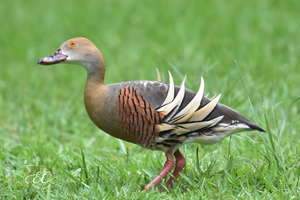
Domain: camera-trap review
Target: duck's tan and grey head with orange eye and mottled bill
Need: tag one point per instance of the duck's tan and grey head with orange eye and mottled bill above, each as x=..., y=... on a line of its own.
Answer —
x=79, y=51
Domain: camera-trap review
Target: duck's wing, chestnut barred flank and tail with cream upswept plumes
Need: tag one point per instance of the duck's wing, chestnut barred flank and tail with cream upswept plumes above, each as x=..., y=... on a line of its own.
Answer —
x=175, y=115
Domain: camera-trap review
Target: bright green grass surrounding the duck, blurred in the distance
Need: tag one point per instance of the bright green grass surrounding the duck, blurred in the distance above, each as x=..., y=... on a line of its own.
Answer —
x=43, y=120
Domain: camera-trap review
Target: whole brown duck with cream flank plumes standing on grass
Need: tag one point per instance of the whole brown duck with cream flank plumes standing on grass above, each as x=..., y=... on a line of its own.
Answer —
x=152, y=114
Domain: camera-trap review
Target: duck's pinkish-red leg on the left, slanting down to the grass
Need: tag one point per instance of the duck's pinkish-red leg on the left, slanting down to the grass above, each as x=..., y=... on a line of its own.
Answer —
x=169, y=165
